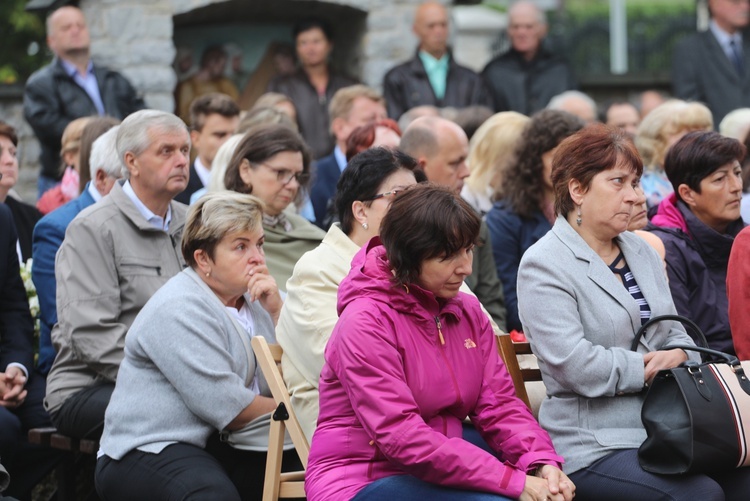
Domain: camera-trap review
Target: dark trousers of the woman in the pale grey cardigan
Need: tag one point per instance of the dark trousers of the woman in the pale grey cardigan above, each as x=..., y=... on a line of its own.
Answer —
x=186, y=472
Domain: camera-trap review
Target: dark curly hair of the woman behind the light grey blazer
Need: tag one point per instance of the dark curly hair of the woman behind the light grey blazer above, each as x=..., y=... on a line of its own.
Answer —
x=522, y=183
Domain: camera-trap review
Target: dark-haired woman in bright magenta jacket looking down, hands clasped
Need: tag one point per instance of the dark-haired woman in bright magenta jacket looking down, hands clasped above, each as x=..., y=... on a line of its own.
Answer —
x=408, y=360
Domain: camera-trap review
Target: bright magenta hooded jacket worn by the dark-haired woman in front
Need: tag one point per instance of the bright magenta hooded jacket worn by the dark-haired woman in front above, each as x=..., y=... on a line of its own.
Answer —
x=402, y=372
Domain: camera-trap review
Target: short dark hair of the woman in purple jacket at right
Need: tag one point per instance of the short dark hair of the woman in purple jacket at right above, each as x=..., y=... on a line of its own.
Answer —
x=698, y=155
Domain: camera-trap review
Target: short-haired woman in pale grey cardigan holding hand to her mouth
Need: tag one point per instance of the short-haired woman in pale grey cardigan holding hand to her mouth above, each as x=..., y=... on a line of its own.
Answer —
x=189, y=372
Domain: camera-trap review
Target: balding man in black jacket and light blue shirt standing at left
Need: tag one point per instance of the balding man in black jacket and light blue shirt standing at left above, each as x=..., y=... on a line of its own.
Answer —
x=70, y=87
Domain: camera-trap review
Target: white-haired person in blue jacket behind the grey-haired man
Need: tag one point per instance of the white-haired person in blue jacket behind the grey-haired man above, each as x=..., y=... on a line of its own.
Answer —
x=49, y=233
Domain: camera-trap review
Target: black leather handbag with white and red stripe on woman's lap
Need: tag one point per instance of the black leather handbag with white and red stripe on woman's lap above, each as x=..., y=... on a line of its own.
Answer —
x=697, y=415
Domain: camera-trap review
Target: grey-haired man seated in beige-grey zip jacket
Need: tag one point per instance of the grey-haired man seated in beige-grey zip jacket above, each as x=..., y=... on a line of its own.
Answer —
x=115, y=256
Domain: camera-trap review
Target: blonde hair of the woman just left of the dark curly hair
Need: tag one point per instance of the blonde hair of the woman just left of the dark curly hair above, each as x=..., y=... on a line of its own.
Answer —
x=491, y=148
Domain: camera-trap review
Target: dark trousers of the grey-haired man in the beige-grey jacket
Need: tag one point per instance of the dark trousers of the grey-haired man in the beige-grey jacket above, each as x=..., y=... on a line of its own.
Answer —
x=82, y=414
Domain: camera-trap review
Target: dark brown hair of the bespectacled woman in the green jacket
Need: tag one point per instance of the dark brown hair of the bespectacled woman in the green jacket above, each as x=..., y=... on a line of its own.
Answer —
x=259, y=145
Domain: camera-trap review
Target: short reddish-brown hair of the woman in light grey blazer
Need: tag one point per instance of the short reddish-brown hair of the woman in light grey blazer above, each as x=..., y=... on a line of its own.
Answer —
x=585, y=154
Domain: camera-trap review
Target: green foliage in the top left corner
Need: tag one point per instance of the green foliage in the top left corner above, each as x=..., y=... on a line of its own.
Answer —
x=23, y=48
